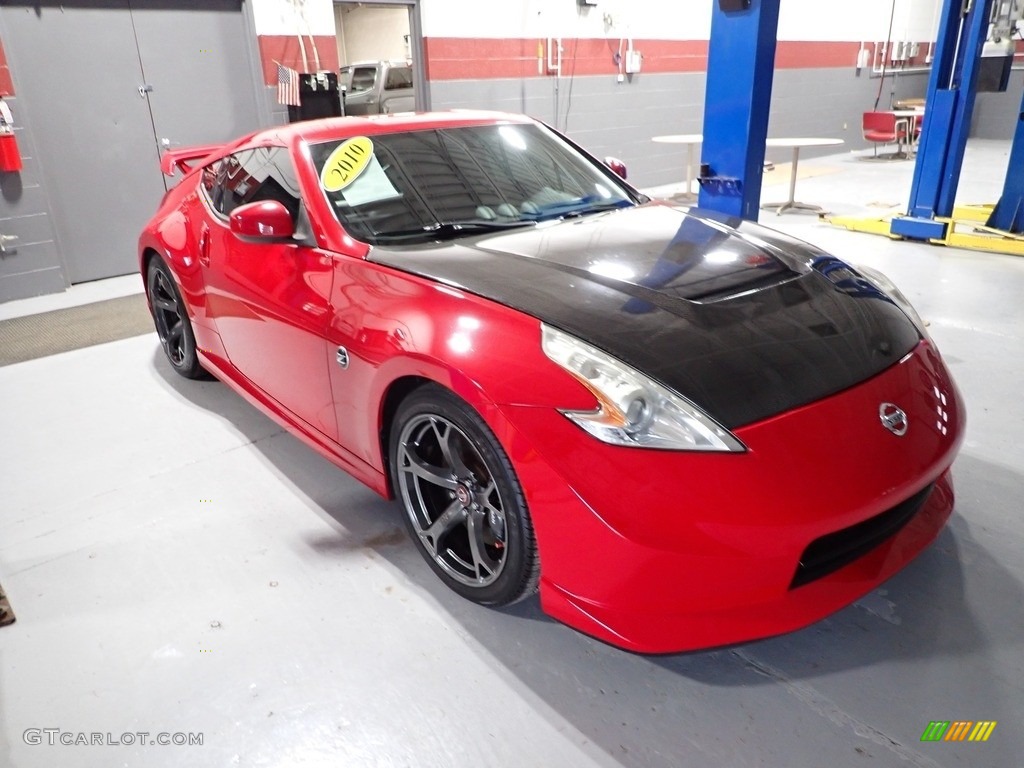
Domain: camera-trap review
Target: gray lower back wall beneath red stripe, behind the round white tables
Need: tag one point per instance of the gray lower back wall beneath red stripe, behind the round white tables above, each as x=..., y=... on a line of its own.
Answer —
x=620, y=119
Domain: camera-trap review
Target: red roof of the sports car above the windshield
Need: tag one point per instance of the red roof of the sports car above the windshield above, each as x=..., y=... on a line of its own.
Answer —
x=328, y=129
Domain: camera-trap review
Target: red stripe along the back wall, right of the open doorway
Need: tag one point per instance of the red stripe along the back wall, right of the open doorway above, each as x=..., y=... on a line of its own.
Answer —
x=482, y=59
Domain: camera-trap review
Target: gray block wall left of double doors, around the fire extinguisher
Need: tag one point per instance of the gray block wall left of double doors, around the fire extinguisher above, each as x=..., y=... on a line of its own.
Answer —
x=33, y=265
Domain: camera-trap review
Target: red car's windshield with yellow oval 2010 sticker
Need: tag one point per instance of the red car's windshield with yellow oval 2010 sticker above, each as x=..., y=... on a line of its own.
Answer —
x=433, y=185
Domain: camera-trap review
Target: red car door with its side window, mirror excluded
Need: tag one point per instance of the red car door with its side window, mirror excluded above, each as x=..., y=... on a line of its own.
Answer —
x=270, y=298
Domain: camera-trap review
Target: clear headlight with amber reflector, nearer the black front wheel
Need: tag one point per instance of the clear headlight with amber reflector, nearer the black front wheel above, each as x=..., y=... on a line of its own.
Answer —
x=632, y=409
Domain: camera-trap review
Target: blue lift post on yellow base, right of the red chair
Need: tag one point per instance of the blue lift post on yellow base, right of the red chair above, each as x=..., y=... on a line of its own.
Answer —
x=952, y=93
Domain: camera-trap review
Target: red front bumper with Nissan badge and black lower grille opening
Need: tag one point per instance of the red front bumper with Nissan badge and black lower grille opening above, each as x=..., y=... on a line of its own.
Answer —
x=668, y=551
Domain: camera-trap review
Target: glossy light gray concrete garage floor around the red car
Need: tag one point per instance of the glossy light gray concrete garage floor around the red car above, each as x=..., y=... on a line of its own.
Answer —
x=179, y=565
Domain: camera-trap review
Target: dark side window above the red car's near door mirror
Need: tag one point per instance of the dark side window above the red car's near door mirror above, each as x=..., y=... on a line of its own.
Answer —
x=265, y=174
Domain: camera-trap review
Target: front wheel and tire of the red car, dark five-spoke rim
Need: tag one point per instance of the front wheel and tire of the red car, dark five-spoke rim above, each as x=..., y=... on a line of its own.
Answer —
x=464, y=506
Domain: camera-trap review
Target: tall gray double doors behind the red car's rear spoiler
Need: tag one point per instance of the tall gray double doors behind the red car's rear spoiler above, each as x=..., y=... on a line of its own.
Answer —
x=107, y=84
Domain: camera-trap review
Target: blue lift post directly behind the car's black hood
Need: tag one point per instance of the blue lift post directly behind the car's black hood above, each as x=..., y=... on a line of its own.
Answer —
x=738, y=98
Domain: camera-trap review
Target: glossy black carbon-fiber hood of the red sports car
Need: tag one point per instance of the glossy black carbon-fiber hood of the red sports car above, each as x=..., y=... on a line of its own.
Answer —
x=744, y=322
